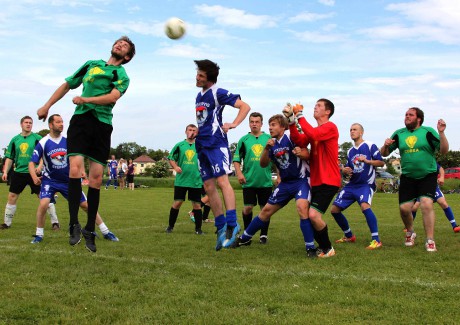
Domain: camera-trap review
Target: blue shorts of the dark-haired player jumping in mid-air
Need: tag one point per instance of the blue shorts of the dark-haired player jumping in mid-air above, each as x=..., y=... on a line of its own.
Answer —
x=214, y=162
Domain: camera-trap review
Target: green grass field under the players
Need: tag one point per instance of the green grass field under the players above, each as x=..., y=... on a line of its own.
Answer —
x=151, y=277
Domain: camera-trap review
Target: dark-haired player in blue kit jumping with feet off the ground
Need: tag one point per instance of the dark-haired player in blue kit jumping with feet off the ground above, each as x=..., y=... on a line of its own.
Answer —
x=212, y=147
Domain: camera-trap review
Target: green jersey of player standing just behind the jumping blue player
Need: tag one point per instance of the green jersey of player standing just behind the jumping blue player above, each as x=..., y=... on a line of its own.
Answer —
x=184, y=154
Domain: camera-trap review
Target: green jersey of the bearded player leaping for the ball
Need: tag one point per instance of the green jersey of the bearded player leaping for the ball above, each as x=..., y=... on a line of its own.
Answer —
x=98, y=79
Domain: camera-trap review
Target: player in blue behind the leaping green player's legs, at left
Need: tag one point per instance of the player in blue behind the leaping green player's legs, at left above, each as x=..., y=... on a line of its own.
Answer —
x=52, y=149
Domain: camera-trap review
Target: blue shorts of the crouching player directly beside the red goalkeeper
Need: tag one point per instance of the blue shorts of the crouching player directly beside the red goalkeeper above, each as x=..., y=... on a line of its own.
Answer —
x=285, y=191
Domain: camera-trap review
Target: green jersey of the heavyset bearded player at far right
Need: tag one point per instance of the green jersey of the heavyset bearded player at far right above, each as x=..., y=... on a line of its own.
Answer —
x=417, y=149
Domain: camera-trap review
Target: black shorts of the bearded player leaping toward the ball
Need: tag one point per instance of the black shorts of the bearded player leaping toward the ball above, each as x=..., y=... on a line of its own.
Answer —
x=89, y=137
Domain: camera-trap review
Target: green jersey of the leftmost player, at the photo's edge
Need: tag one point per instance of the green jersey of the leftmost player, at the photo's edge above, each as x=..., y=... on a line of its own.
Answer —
x=20, y=150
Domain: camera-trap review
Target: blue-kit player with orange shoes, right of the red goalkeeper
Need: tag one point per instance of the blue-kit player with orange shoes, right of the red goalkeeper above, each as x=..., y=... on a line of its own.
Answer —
x=362, y=159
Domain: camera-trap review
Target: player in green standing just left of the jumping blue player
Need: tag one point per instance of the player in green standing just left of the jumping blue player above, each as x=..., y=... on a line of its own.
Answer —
x=183, y=160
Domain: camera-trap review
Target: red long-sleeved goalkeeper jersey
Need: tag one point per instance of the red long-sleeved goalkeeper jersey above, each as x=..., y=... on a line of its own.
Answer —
x=324, y=151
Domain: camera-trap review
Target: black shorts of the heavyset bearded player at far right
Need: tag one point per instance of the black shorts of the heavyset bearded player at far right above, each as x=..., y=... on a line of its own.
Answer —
x=411, y=189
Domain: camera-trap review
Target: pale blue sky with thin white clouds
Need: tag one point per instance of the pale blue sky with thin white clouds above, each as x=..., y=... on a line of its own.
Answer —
x=373, y=59
